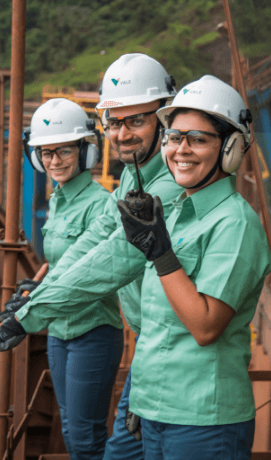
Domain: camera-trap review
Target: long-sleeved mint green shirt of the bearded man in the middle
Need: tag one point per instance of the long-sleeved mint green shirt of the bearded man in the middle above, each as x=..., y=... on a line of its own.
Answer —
x=102, y=261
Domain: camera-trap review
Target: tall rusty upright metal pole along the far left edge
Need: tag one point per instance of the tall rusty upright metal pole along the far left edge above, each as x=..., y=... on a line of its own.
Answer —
x=13, y=188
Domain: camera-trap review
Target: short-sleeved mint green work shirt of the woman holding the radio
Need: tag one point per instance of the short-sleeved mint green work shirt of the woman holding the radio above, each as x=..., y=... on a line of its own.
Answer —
x=222, y=247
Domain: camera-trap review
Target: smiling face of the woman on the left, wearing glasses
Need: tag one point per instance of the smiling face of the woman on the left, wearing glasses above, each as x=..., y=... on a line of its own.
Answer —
x=61, y=170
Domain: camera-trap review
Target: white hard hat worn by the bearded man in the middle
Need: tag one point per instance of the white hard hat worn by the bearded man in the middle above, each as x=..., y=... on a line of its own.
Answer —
x=135, y=79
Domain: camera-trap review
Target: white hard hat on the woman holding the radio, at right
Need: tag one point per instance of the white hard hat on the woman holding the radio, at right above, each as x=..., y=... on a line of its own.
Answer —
x=212, y=96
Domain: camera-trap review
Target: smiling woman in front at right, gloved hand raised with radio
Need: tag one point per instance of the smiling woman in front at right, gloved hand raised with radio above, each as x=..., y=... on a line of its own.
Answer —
x=190, y=382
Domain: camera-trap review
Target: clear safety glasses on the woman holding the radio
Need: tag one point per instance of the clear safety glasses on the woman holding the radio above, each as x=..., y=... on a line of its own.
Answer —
x=198, y=140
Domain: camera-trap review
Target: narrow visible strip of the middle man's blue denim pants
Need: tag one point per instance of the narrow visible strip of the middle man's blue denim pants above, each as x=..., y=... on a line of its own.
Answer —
x=122, y=445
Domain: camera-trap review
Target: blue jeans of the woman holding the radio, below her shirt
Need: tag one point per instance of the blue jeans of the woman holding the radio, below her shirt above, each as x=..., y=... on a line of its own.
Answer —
x=164, y=441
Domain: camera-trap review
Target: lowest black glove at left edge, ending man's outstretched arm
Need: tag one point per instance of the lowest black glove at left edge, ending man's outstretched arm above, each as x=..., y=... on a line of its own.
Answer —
x=11, y=333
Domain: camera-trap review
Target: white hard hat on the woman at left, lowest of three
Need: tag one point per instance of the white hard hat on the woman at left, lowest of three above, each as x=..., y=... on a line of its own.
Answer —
x=58, y=120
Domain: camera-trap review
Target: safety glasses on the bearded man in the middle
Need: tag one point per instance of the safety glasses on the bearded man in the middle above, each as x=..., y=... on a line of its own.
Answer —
x=132, y=122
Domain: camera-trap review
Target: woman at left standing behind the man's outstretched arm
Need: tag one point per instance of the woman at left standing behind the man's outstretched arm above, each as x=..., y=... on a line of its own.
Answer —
x=85, y=347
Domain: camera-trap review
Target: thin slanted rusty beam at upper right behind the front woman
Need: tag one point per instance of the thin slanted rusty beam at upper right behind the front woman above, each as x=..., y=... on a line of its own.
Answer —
x=253, y=151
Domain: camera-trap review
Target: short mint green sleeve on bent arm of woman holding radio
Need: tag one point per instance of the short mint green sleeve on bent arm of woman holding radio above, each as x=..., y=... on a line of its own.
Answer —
x=235, y=262
